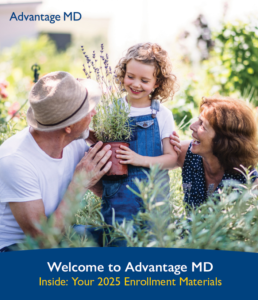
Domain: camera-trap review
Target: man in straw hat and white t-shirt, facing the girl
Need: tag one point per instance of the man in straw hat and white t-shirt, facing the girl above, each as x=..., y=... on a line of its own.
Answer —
x=38, y=163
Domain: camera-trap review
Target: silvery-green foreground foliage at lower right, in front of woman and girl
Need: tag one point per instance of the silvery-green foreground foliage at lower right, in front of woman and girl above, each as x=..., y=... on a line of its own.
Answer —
x=230, y=224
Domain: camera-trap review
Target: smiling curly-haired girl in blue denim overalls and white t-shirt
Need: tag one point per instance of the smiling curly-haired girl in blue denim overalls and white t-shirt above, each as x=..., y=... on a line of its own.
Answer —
x=146, y=74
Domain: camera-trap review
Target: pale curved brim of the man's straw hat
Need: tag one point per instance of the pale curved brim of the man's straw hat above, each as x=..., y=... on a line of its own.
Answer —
x=92, y=100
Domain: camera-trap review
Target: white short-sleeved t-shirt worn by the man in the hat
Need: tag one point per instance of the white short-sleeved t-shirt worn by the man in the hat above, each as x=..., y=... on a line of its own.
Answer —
x=27, y=173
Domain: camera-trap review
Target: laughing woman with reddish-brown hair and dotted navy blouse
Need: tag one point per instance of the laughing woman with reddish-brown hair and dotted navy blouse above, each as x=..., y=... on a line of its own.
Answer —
x=224, y=138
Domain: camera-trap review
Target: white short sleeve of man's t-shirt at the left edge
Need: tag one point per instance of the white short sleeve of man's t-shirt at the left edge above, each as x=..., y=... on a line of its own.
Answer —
x=18, y=180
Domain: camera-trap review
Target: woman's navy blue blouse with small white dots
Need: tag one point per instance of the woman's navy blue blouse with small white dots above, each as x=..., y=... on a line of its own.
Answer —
x=194, y=184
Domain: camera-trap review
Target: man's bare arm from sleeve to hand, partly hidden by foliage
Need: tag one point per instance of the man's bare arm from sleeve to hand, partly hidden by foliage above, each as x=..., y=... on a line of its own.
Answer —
x=91, y=168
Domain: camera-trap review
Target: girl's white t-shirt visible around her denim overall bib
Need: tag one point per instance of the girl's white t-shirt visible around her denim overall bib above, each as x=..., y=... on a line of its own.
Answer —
x=164, y=117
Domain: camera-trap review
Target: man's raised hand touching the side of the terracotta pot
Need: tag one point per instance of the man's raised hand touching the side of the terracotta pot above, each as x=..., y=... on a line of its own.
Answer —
x=94, y=165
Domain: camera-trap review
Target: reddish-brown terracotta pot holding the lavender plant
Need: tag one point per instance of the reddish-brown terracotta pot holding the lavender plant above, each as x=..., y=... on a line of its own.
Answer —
x=117, y=170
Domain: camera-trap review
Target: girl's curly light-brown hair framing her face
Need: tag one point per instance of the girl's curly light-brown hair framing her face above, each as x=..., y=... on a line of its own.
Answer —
x=151, y=54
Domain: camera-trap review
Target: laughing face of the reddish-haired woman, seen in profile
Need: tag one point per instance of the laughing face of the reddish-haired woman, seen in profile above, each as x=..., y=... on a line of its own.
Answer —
x=202, y=135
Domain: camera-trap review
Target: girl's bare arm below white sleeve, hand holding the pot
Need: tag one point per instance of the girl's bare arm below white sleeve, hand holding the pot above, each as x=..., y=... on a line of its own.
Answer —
x=166, y=161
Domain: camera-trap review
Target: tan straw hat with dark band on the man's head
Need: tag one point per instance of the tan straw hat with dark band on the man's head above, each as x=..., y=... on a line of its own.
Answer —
x=58, y=100
